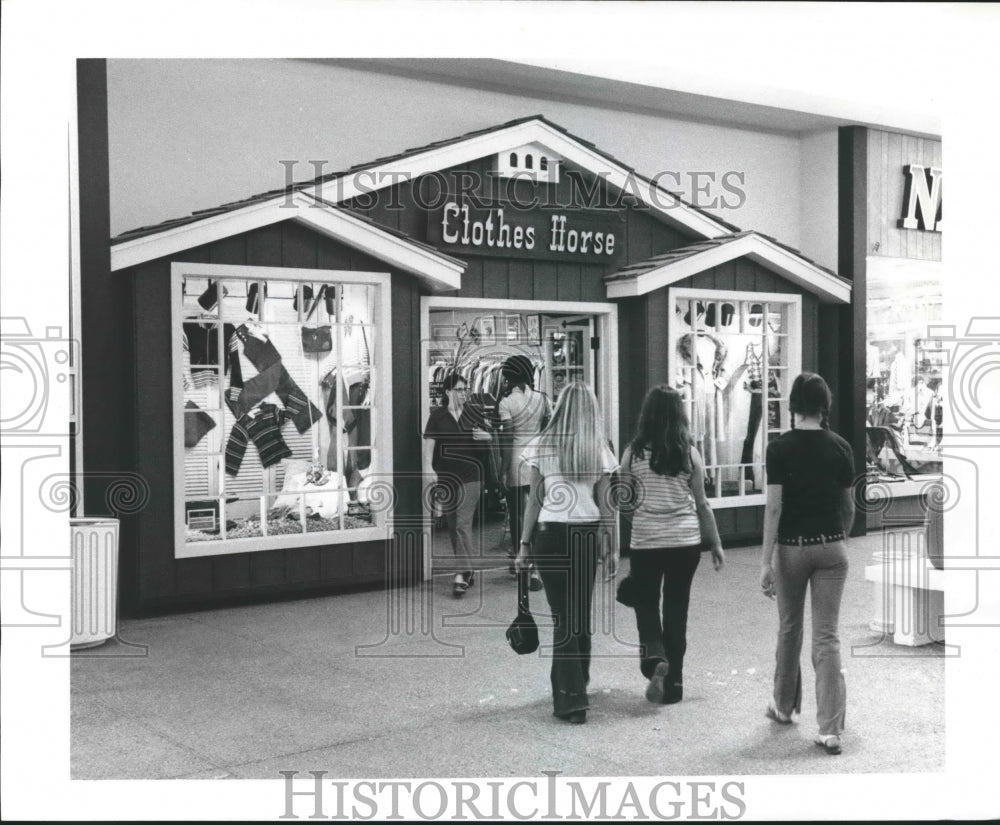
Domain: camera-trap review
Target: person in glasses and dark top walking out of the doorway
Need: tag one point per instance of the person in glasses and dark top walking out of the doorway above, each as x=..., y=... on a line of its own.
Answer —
x=458, y=461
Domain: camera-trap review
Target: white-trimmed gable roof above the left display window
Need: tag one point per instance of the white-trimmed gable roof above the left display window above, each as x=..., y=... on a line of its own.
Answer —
x=441, y=272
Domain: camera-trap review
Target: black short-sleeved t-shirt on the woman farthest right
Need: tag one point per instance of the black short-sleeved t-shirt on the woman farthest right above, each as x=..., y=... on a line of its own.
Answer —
x=813, y=467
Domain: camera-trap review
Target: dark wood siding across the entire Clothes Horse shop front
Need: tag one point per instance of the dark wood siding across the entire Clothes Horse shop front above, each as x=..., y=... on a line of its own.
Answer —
x=159, y=581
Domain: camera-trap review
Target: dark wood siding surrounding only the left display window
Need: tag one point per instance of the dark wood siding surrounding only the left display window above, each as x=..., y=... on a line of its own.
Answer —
x=159, y=580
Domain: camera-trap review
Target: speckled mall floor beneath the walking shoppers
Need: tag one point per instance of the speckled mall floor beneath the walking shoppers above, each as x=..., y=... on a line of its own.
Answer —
x=415, y=682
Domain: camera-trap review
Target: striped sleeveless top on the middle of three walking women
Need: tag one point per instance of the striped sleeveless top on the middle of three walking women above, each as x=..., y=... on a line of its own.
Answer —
x=665, y=514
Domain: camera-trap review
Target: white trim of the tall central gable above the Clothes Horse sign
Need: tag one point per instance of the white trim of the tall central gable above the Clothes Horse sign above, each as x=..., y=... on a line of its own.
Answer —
x=438, y=157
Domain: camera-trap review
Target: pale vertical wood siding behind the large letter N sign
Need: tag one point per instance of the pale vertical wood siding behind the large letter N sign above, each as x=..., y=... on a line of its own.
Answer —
x=888, y=153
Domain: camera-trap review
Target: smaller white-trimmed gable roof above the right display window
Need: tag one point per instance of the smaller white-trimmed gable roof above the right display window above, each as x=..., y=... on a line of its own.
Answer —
x=678, y=264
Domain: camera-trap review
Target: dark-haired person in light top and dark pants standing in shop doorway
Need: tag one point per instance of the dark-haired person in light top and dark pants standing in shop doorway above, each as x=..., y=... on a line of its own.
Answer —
x=523, y=412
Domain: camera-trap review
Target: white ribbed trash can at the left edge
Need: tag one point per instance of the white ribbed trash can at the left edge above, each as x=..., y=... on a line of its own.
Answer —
x=94, y=599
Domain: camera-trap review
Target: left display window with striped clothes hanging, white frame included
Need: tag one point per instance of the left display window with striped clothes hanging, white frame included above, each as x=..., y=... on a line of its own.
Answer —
x=280, y=421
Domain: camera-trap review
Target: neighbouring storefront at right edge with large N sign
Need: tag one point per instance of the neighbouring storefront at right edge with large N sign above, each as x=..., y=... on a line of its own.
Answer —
x=904, y=363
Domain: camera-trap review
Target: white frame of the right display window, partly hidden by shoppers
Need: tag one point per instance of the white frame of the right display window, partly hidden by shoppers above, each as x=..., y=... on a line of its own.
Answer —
x=794, y=303
